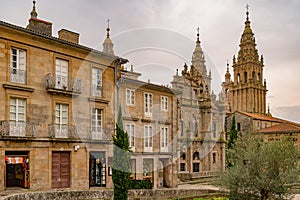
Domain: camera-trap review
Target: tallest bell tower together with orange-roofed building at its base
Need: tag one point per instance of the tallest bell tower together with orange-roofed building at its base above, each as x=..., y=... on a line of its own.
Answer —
x=246, y=95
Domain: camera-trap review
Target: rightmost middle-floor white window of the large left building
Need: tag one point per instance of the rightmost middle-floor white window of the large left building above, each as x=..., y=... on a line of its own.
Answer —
x=97, y=123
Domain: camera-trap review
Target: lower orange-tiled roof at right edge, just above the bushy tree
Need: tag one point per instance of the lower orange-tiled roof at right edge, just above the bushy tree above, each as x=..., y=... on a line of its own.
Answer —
x=281, y=128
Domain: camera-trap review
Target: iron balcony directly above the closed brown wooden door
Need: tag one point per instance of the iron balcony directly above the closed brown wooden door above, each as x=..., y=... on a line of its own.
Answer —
x=62, y=131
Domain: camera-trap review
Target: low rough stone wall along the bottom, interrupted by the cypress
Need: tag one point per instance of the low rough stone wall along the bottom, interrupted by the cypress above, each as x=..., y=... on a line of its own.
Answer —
x=161, y=194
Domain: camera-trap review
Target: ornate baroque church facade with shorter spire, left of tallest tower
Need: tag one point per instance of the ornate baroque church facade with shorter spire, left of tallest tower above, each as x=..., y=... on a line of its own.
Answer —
x=200, y=140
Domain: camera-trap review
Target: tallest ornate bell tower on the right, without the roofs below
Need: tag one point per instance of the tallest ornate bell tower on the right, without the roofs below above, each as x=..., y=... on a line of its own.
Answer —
x=247, y=91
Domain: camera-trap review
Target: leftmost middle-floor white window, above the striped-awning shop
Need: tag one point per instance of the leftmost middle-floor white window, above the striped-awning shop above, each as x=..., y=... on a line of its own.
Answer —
x=17, y=113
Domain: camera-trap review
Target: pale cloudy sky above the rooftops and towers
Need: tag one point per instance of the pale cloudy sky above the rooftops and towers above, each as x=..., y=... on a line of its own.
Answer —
x=158, y=36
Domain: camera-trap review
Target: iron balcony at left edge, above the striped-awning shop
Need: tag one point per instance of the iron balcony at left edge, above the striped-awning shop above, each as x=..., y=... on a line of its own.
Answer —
x=17, y=129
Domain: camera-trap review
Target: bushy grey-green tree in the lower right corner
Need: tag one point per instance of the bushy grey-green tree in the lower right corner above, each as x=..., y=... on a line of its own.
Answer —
x=260, y=170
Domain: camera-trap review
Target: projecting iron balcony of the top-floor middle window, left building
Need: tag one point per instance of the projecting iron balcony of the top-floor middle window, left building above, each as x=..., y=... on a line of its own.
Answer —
x=62, y=85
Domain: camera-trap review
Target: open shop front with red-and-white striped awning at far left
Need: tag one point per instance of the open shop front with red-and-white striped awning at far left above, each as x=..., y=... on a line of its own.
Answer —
x=17, y=169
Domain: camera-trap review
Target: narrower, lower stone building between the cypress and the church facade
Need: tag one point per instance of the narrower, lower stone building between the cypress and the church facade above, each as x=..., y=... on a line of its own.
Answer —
x=150, y=118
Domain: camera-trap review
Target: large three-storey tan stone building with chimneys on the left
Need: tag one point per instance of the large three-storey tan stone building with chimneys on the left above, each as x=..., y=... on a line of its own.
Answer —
x=57, y=109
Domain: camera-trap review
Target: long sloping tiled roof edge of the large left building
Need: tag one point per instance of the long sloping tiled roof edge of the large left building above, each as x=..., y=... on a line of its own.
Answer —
x=25, y=30
